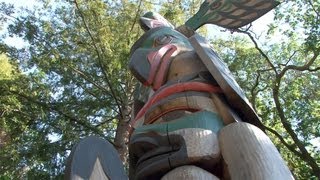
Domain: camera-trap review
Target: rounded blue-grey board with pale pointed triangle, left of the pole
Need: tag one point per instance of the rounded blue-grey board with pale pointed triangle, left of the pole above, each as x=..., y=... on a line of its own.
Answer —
x=94, y=158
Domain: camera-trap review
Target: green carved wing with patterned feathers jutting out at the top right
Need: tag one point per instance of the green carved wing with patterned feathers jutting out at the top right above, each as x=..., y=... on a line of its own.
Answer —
x=230, y=14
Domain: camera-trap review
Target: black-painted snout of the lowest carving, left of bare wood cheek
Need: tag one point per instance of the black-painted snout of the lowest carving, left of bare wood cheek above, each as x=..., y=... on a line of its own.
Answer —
x=152, y=155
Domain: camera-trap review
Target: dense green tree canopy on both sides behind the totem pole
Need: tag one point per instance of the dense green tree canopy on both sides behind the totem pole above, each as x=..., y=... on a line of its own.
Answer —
x=71, y=80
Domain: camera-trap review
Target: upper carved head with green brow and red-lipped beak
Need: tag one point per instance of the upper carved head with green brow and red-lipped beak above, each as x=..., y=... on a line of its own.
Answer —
x=152, y=54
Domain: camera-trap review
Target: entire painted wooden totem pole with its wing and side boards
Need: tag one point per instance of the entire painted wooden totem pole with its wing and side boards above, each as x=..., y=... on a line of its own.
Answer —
x=192, y=120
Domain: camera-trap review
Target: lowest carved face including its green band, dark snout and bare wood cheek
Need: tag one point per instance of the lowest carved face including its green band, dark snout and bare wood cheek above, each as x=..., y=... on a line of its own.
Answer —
x=158, y=148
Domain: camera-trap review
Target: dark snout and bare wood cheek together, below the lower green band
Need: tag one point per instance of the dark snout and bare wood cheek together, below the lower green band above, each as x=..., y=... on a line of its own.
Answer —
x=181, y=147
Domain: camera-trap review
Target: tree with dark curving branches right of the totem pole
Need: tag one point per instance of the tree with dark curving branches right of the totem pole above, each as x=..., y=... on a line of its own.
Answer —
x=281, y=80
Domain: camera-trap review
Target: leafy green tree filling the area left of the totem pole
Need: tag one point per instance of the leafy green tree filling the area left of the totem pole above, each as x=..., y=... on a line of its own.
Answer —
x=75, y=81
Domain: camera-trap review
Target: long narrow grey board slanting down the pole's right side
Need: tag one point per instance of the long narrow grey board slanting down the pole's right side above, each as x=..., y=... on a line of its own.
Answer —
x=219, y=70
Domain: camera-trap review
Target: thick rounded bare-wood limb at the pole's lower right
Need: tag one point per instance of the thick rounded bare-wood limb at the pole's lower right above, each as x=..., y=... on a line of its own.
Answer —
x=249, y=154
